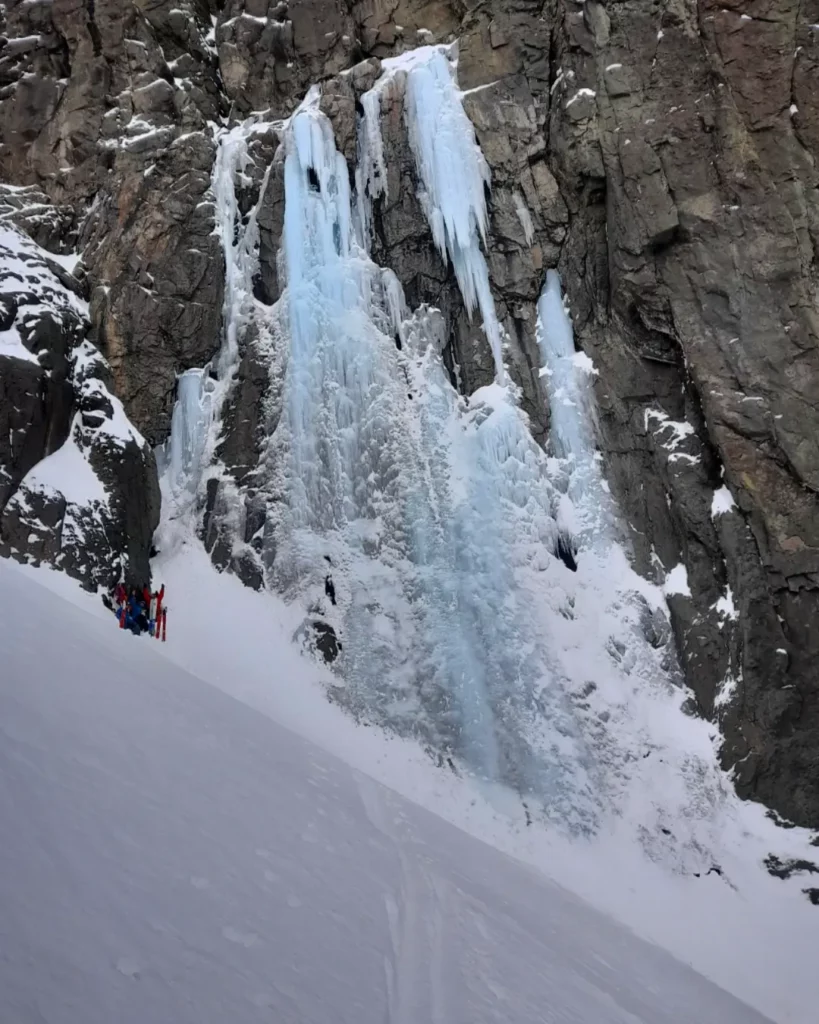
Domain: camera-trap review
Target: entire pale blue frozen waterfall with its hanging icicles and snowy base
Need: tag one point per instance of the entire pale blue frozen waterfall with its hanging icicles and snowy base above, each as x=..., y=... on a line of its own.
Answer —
x=439, y=518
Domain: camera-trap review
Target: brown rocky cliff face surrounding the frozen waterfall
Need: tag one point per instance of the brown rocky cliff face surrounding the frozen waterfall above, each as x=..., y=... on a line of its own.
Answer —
x=662, y=156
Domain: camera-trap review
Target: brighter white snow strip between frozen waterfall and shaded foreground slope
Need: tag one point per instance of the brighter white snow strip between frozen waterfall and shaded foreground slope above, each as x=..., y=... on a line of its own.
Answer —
x=752, y=934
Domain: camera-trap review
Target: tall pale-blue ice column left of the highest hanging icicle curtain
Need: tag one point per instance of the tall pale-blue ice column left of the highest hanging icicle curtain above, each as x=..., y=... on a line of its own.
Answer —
x=333, y=296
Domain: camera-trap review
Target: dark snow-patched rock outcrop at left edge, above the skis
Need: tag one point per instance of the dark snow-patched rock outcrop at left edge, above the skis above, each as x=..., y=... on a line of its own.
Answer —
x=78, y=486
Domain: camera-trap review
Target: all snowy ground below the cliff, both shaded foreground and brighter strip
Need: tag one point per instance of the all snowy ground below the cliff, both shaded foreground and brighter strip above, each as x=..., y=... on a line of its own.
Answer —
x=141, y=797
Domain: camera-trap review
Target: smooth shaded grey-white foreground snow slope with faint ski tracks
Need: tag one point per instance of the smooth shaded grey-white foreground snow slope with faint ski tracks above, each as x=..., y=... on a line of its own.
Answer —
x=170, y=855
